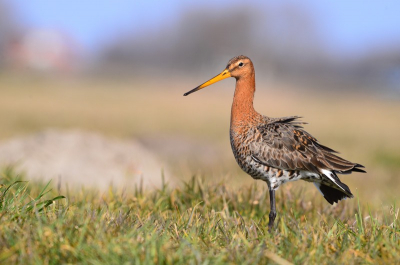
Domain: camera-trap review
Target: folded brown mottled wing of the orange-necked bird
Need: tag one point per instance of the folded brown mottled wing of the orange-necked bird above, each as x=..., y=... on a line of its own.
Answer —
x=282, y=143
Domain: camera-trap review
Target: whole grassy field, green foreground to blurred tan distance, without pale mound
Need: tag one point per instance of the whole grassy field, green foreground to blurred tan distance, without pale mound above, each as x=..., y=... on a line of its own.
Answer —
x=218, y=216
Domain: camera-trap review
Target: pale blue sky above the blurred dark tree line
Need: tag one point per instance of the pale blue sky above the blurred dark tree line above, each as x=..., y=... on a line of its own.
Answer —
x=348, y=26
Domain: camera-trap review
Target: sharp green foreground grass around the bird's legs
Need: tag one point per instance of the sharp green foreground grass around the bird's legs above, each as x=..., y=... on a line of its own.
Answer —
x=198, y=223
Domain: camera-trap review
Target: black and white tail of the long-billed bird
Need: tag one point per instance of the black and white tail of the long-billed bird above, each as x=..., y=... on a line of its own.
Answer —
x=337, y=191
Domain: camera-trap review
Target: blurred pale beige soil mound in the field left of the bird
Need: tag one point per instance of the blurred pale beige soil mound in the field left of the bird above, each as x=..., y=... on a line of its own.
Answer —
x=83, y=158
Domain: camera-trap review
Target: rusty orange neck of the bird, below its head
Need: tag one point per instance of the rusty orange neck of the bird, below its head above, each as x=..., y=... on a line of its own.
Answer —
x=242, y=107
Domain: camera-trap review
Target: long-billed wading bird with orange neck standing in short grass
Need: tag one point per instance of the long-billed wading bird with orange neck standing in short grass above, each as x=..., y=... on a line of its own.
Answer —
x=278, y=150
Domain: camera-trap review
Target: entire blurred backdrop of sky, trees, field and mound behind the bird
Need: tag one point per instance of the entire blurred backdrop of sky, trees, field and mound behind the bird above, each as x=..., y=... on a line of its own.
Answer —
x=91, y=91
